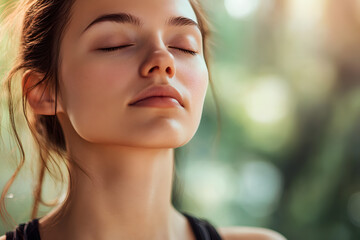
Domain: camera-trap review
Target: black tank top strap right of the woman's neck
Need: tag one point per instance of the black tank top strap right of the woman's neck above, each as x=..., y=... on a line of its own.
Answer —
x=203, y=229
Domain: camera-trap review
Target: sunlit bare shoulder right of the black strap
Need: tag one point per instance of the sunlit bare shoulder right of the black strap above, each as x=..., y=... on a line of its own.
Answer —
x=249, y=233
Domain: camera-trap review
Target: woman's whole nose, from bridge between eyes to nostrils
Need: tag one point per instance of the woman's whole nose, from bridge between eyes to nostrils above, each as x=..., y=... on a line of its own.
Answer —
x=158, y=60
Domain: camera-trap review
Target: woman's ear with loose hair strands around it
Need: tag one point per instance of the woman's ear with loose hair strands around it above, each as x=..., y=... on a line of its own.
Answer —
x=40, y=97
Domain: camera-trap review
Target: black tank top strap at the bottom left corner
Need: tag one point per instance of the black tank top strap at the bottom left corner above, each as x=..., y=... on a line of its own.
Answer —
x=25, y=231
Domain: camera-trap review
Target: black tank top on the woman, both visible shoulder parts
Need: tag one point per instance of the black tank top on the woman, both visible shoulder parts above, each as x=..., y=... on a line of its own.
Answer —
x=202, y=230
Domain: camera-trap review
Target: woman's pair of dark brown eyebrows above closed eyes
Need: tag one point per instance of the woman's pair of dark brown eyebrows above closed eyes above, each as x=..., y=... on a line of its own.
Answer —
x=128, y=18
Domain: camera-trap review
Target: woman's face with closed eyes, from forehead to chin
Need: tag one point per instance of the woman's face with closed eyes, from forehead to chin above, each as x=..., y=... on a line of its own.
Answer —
x=106, y=64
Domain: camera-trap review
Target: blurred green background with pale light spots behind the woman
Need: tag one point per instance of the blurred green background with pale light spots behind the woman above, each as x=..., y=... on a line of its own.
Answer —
x=287, y=76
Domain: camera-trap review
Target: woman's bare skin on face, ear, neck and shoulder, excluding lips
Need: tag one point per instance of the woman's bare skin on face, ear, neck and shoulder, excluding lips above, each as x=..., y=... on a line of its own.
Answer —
x=127, y=151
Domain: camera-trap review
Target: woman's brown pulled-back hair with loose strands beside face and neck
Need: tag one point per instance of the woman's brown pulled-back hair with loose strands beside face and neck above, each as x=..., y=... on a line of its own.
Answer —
x=42, y=28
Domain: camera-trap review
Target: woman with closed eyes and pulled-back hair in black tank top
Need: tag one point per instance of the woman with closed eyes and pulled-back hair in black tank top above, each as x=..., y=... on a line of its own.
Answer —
x=113, y=87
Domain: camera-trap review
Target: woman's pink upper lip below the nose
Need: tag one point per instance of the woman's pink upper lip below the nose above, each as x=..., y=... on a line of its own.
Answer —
x=158, y=91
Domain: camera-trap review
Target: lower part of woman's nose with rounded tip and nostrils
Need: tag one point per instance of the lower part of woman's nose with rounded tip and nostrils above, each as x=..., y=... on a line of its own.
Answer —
x=158, y=62
